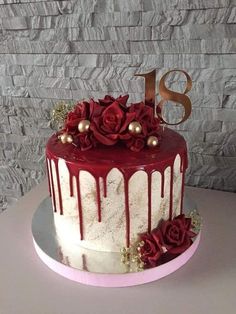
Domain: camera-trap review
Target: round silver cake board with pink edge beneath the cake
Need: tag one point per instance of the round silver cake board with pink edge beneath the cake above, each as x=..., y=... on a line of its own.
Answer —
x=90, y=267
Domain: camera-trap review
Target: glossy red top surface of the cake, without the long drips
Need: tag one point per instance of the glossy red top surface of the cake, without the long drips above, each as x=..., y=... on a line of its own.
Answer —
x=119, y=156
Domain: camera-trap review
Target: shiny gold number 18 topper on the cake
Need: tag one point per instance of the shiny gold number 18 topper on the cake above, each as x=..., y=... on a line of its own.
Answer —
x=167, y=94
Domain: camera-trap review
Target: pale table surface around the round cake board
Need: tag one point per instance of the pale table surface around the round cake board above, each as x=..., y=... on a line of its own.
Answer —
x=206, y=284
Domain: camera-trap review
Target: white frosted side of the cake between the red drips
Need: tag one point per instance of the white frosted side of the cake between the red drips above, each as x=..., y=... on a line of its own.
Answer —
x=110, y=233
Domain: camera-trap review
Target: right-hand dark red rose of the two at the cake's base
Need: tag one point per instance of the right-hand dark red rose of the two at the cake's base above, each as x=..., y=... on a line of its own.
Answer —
x=175, y=235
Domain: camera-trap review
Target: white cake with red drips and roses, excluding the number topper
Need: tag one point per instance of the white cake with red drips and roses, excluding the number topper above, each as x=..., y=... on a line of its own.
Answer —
x=116, y=179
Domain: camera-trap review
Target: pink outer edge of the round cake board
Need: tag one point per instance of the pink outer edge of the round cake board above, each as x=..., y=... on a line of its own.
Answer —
x=118, y=280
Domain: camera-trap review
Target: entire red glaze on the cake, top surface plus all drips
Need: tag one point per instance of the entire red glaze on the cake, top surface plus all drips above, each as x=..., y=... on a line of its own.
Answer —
x=101, y=160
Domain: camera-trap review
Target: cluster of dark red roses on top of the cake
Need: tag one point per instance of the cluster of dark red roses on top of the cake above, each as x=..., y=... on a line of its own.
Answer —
x=109, y=123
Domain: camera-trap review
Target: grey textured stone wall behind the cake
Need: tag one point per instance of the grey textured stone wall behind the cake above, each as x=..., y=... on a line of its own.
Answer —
x=53, y=50
